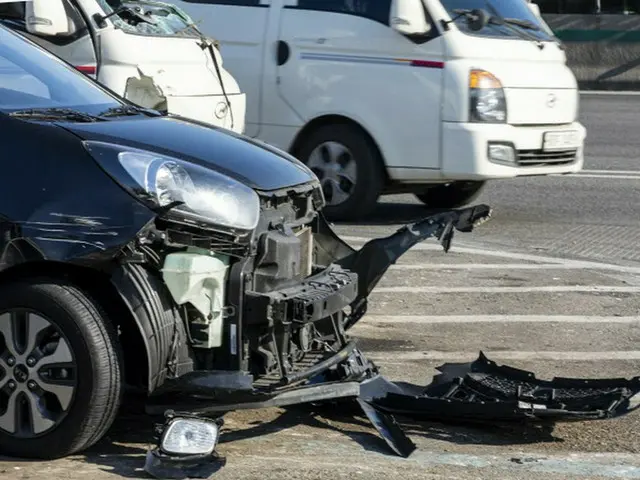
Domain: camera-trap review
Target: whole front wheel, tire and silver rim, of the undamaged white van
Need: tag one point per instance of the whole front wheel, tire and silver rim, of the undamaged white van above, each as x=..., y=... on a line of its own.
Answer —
x=349, y=168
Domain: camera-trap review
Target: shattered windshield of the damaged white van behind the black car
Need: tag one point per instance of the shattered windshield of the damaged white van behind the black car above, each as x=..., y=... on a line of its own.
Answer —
x=165, y=19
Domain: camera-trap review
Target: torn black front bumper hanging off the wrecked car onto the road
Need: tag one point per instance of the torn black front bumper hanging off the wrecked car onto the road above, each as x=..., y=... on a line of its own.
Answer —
x=480, y=391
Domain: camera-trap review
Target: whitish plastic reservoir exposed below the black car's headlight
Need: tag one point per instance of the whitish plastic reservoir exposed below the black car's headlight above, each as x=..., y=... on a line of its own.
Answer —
x=200, y=280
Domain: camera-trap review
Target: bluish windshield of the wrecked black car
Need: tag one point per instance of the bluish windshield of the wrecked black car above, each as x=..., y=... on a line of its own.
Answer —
x=32, y=78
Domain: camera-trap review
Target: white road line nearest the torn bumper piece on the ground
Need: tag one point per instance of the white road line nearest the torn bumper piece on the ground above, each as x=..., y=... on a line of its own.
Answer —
x=397, y=357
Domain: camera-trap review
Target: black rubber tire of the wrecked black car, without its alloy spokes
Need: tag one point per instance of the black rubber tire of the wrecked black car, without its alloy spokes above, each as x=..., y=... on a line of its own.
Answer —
x=96, y=367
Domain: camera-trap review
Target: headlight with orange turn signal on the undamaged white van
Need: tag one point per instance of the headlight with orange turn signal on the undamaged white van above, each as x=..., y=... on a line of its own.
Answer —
x=487, y=103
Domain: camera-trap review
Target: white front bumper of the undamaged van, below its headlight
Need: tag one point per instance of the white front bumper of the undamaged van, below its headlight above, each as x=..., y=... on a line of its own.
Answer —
x=465, y=151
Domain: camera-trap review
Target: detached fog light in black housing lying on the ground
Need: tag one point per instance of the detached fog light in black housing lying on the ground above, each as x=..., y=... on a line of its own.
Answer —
x=186, y=448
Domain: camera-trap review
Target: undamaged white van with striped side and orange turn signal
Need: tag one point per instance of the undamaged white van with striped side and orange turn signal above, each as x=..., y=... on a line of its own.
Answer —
x=385, y=96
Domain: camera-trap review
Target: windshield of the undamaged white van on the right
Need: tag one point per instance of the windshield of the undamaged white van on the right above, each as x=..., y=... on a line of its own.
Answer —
x=517, y=10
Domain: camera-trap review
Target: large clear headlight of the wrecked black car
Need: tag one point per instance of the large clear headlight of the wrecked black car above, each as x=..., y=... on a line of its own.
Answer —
x=188, y=192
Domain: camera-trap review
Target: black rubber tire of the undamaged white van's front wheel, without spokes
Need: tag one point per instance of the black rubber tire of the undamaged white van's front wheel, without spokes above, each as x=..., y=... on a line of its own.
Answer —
x=369, y=178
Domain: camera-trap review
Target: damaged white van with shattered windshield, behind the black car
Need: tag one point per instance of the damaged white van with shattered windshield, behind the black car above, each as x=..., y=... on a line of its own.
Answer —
x=146, y=51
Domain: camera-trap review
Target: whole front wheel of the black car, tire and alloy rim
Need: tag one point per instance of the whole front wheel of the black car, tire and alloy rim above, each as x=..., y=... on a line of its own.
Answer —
x=60, y=384
